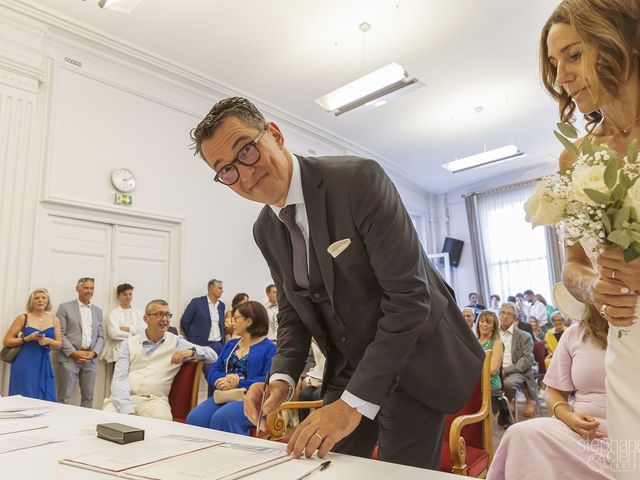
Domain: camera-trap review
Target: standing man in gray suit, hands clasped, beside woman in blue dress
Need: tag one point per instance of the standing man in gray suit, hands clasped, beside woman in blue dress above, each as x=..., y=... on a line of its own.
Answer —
x=82, y=341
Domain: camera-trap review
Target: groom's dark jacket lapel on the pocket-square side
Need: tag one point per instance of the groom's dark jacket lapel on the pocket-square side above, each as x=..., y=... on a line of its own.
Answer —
x=315, y=199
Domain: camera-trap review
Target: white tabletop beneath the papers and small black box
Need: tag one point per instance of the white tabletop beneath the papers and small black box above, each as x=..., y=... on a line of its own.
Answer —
x=79, y=426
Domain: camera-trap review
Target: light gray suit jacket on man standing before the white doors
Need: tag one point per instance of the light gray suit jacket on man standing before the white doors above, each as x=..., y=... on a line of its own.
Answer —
x=71, y=329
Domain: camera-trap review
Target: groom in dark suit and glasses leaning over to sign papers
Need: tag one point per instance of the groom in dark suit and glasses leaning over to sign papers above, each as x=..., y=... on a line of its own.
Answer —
x=351, y=273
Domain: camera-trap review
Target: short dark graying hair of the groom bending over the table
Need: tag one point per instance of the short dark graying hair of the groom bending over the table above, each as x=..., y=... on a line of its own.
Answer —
x=238, y=107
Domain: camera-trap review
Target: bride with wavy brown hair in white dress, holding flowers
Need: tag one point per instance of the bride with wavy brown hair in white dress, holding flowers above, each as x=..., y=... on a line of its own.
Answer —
x=589, y=59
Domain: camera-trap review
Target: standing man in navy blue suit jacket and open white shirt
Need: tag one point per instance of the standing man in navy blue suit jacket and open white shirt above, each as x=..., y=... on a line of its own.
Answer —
x=203, y=321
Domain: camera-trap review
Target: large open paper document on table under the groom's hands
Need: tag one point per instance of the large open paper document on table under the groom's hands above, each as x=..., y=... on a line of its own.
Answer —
x=181, y=458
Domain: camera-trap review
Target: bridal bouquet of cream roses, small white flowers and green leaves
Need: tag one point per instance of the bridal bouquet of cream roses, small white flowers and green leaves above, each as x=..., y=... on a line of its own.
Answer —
x=597, y=199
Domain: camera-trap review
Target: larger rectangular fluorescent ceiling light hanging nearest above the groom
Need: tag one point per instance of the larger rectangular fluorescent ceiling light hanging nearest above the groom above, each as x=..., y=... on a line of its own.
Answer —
x=369, y=90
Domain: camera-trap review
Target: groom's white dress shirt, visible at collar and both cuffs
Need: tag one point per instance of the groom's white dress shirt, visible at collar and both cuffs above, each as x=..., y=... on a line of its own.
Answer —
x=295, y=196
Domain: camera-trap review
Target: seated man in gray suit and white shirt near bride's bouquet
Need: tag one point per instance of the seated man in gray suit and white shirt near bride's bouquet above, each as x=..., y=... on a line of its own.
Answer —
x=517, y=361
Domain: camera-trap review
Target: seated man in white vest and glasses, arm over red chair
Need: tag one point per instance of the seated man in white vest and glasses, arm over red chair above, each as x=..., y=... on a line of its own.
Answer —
x=148, y=363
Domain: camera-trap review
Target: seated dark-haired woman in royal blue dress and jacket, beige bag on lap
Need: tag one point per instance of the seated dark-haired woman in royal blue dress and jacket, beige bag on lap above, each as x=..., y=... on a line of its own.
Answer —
x=242, y=362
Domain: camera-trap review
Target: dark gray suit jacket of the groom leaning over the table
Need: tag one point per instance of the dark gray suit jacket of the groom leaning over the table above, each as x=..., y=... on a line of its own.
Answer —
x=398, y=321
